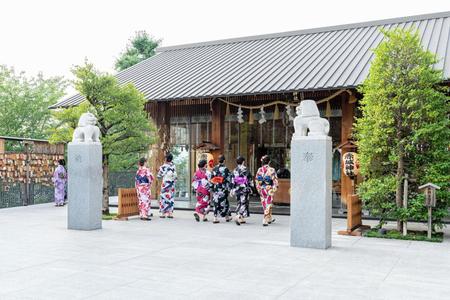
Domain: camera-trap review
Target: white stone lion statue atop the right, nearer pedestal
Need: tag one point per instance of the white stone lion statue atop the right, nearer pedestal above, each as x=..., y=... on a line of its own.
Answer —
x=308, y=117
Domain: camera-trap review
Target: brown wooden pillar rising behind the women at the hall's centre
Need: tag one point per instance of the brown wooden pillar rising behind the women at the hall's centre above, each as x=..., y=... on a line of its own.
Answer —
x=218, y=127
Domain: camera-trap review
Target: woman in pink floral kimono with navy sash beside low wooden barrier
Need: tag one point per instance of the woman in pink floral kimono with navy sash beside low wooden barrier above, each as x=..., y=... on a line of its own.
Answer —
x=143, y=182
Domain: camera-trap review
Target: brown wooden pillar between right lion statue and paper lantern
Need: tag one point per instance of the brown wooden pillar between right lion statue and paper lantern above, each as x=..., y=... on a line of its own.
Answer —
x=348, y=113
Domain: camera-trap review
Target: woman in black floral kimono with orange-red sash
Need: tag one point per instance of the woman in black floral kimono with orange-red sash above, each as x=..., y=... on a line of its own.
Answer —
x=221, y=182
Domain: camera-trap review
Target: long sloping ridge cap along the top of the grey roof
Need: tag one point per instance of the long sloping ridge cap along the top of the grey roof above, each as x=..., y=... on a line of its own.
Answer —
x=308, y=31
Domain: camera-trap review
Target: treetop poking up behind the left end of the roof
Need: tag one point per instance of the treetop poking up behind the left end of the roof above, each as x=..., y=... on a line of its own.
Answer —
x=141, y=46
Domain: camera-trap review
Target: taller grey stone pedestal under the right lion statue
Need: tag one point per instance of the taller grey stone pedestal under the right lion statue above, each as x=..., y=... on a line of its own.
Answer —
x=311, y=192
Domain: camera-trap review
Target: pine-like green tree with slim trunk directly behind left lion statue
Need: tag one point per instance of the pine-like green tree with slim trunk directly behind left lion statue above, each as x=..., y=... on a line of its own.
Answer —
x=122, y=120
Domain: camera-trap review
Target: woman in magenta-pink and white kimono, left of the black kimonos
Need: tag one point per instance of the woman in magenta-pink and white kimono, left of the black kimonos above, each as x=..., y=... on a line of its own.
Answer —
x=202, y=188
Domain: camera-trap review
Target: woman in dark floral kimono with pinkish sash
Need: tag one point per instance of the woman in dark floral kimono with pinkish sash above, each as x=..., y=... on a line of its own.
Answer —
x=242, y=184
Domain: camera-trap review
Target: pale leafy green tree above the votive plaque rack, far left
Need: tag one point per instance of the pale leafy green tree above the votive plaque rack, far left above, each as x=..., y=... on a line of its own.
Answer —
x=24, y=103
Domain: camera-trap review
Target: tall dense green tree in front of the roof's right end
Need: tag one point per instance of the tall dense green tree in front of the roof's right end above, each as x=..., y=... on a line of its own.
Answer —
x=404, y=128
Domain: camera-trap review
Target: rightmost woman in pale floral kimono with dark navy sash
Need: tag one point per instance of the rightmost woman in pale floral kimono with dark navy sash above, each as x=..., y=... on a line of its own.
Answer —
x=266, y=185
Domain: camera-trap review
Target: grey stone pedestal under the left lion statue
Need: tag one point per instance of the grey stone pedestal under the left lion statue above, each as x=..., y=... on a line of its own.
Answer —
x=85, y=186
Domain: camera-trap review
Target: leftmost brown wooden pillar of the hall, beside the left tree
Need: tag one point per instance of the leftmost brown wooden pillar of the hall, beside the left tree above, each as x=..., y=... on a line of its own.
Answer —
x=159, y=150
